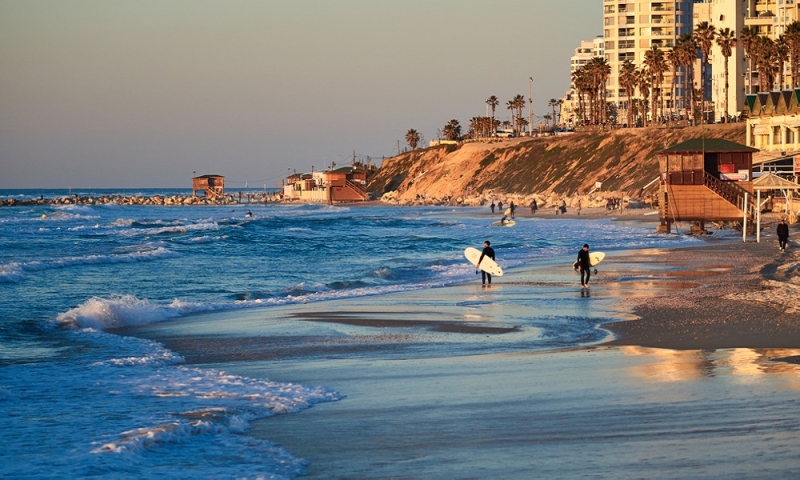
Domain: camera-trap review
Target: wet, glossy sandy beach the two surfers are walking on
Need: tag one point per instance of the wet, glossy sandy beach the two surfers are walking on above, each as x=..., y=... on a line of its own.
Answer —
x=693, y=375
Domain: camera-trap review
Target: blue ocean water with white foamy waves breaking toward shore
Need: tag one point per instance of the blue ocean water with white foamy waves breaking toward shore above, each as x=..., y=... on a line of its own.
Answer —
x=78, y=401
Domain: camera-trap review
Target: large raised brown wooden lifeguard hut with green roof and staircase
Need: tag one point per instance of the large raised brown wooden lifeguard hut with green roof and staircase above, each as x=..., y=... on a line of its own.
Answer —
x=705, y=180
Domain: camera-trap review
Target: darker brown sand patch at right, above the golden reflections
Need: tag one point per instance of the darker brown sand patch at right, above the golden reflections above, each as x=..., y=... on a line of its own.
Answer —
x=745, y=299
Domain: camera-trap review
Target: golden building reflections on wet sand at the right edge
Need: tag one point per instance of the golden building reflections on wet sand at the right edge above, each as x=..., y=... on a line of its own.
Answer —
x=684, y=365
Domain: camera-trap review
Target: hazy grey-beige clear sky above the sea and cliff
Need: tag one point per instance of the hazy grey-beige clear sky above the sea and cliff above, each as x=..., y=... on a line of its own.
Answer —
x=144, y=93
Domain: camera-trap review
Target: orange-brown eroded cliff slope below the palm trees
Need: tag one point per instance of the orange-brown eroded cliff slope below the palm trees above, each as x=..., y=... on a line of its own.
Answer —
x=623, y=160
